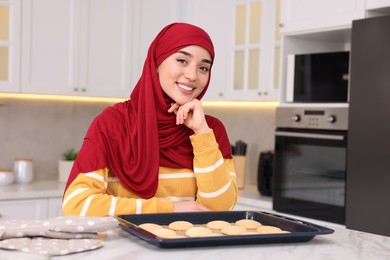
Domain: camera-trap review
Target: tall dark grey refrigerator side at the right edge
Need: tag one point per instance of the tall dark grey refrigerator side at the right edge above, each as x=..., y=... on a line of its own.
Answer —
x=369, y=127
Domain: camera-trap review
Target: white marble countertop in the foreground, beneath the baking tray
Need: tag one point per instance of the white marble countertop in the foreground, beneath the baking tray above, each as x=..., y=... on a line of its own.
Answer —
x=343, y=244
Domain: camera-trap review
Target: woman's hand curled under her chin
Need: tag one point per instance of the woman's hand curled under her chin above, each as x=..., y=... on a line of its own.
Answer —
x=190, y=114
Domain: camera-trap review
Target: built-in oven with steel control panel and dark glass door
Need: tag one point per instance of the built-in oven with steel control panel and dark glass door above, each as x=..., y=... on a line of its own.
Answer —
x=310, y=162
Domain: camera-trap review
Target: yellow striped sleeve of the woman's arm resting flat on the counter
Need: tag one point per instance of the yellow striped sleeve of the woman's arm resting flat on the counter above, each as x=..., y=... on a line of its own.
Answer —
x=88, y=195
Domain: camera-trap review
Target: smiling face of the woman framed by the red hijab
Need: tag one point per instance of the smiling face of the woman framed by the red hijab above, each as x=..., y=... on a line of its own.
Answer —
x=184, y=74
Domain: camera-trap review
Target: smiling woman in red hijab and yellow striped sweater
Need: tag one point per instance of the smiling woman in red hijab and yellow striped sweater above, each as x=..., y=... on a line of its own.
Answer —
x=157, y=152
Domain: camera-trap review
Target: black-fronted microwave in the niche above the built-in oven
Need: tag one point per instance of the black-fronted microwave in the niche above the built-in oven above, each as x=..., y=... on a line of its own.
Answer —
x=317, y=77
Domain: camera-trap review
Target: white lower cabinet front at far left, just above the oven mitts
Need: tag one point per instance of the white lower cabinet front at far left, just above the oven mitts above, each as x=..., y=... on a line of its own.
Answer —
x=23, y=209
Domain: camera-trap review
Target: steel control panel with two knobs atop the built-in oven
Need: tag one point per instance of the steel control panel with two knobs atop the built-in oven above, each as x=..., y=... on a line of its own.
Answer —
x=335, y=118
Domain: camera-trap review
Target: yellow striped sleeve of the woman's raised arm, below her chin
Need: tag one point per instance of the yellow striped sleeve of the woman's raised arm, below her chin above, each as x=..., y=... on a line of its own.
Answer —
x=215, y=176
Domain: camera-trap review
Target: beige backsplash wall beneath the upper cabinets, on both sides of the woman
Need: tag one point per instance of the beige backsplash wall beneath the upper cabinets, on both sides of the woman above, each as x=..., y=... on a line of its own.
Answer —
x=43, y=129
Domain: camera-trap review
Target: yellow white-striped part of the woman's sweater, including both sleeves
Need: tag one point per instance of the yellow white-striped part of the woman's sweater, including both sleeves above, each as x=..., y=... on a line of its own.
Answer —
x=211, y=183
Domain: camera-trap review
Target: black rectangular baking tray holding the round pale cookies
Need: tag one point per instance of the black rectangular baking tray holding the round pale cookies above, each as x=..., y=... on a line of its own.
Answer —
x=300, y=231
